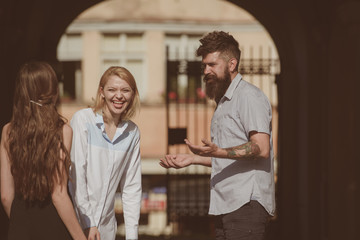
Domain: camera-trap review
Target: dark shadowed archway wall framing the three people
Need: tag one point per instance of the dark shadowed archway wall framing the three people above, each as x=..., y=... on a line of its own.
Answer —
x=318, y=42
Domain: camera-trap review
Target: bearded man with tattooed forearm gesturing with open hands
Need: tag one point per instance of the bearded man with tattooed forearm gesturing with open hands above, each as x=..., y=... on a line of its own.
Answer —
x=240, y=152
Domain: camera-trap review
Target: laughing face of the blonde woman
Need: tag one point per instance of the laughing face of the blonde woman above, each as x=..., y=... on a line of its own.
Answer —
x=117, y=95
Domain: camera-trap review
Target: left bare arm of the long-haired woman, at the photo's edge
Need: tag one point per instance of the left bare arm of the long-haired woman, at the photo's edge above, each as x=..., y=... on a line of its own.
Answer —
x=7, y=181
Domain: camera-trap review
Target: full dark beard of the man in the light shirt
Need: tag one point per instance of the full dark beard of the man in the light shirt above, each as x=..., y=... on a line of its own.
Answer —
x=217, y=86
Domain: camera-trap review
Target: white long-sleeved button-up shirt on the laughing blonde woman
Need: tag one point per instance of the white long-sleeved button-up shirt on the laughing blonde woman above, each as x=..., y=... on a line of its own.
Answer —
x=99, y=166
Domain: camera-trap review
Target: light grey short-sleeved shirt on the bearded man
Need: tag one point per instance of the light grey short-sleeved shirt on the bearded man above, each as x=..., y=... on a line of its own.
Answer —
x=244, y=108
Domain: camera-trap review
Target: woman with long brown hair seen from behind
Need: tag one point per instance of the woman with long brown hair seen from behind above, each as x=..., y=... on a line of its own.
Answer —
x=35, y=160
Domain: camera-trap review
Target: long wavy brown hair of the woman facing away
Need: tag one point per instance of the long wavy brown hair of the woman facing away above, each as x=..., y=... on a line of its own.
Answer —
x=35, y=136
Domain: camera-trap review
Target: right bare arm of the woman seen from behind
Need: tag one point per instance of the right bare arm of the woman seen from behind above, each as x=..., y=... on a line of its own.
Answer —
x=60, y=197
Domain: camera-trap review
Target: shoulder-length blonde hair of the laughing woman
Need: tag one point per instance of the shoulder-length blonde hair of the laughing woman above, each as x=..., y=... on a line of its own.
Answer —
x=125, y=75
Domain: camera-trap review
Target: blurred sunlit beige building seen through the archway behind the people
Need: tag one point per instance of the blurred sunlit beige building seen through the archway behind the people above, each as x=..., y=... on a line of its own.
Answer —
x=136, y=34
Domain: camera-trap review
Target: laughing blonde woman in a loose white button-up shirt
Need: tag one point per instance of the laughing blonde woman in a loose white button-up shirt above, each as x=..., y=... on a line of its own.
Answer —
x=106, y=154
